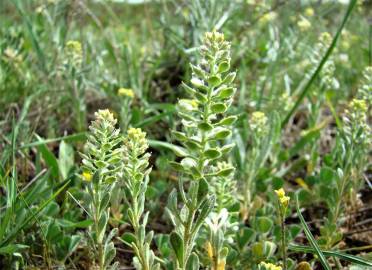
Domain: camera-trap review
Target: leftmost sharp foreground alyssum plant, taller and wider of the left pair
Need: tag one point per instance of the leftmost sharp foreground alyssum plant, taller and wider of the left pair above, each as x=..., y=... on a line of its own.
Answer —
x=101, y=167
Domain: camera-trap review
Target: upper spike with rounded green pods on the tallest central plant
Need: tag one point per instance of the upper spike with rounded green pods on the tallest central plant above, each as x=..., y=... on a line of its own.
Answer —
x=203, y=116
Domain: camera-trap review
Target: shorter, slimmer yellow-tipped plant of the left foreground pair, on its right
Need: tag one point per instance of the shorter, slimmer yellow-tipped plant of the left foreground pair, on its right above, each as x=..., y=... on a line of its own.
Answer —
x=135, y=179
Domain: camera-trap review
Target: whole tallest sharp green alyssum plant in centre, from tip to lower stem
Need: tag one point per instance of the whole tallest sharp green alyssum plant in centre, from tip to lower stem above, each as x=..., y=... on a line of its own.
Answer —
x=204, y=128
